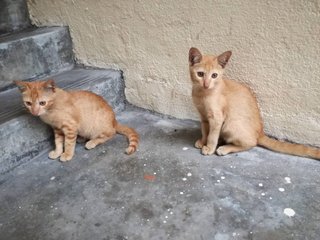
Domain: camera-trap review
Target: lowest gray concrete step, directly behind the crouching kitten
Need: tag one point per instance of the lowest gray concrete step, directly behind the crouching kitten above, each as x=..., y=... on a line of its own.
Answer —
x=23, y=136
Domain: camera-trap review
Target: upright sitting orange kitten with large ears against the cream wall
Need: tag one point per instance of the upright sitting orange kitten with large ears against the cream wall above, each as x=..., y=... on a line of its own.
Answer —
x=229, y=111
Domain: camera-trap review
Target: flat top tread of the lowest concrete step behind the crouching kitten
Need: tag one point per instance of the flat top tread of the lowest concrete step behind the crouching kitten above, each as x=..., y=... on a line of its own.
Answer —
x=11, y=105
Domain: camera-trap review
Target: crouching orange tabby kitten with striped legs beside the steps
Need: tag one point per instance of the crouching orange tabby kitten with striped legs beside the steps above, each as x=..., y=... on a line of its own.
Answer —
x=73, y=113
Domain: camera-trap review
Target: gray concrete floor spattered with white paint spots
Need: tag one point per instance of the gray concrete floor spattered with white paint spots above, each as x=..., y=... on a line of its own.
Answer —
x=167, y=190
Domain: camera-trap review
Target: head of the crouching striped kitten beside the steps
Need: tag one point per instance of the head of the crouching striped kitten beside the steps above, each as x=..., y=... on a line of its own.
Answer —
x=37, y=96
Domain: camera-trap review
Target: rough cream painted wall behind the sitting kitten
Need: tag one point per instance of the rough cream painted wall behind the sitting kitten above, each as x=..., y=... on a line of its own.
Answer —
x=275, y=44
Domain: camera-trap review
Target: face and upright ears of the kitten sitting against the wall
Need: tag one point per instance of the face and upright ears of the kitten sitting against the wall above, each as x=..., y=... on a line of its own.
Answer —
x=207, y=70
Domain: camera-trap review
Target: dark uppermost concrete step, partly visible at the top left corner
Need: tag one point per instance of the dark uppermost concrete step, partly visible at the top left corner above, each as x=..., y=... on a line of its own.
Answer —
x=14, y=16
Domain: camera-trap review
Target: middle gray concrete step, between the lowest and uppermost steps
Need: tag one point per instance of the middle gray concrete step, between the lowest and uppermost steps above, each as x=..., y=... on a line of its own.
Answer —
x=34, y=53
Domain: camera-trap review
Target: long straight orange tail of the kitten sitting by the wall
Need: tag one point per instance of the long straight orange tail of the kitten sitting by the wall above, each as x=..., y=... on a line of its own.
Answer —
x=289, y=148
